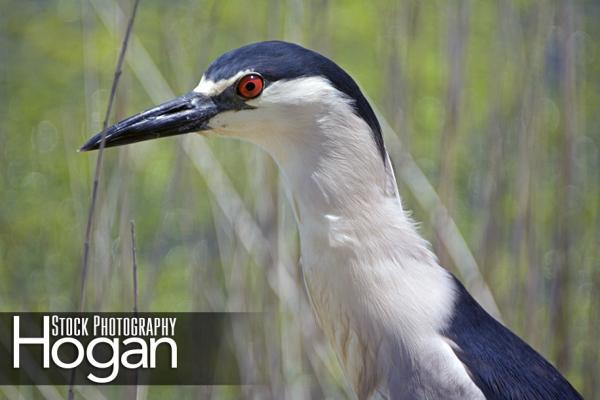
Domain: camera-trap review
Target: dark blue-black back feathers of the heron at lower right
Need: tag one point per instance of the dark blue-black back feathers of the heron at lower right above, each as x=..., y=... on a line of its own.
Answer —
x=502, y=365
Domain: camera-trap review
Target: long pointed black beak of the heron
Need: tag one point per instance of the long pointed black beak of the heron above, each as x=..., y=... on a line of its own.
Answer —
x=188, y=113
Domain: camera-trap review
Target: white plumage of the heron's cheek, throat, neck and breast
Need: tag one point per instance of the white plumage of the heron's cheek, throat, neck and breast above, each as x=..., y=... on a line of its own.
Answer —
x=377, y=290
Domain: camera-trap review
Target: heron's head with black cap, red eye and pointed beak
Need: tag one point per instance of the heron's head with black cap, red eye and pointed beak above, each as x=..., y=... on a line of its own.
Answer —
x=261, y=92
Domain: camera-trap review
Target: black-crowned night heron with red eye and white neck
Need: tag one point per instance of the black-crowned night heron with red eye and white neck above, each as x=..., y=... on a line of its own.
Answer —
x=402, y=326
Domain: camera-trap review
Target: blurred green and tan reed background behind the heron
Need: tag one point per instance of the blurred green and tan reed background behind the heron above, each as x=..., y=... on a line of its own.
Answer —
x=491, y=115
